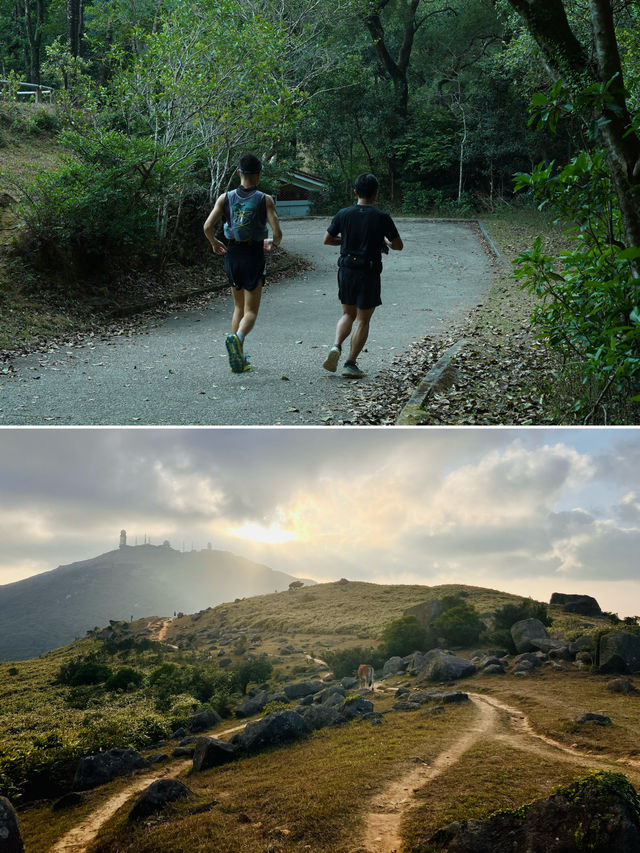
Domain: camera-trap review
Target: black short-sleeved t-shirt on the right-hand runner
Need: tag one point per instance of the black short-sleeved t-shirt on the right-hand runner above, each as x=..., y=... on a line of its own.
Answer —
x=363, y=229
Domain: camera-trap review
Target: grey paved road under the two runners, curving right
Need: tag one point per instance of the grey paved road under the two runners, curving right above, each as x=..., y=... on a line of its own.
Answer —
x=178, y=372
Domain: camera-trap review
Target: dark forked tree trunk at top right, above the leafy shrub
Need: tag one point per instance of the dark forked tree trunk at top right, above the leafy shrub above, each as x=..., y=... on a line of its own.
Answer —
x=580, y=66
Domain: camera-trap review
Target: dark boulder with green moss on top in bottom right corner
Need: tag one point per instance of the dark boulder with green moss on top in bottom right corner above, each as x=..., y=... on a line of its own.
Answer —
x=599, y=813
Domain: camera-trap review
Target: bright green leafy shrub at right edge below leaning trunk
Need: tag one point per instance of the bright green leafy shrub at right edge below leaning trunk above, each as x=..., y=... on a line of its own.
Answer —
x=588, y=308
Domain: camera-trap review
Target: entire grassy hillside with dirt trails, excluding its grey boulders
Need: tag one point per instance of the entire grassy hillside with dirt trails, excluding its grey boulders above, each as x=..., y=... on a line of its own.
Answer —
x=514, y=742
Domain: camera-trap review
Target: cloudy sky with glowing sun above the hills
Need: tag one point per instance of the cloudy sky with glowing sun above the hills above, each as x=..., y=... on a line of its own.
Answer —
x=529, y=511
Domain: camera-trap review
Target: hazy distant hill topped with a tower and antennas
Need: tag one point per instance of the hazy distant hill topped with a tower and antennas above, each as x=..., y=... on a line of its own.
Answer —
x=51, y=609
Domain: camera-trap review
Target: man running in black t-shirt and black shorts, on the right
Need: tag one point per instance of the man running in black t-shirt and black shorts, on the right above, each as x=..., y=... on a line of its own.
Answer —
x=363, y=232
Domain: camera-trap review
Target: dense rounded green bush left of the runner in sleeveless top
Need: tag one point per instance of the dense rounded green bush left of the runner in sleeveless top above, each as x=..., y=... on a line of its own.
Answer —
x=101, y=209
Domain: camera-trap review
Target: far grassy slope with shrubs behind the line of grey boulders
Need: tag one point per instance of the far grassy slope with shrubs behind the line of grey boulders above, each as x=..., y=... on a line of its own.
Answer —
x=47, y=722
